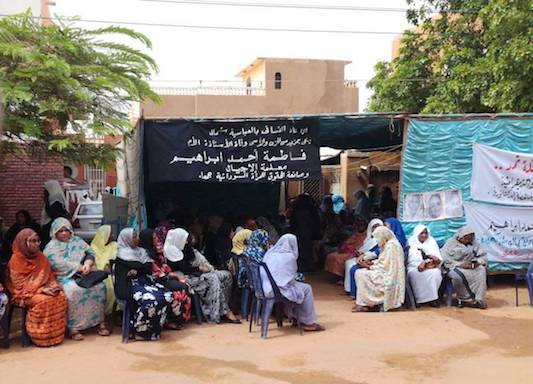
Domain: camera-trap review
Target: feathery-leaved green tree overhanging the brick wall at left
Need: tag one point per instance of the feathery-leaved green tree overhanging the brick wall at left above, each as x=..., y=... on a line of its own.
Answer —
x=60, y=84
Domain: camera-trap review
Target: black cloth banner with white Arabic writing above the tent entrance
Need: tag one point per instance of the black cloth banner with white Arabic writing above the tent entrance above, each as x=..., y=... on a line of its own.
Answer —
x=231, y=151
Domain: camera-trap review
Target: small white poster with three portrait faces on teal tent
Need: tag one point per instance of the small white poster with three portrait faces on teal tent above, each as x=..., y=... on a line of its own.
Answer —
x=429, y=206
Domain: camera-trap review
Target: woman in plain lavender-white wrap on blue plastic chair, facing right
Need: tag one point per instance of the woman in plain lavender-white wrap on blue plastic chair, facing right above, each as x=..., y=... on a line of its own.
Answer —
x=281, y=261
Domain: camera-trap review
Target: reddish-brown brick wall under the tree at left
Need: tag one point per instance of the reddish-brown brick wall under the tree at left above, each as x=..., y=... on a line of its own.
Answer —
x=21, y=185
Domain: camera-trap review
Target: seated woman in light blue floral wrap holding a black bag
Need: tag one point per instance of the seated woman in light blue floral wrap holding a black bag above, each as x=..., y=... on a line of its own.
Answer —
x=69, y=255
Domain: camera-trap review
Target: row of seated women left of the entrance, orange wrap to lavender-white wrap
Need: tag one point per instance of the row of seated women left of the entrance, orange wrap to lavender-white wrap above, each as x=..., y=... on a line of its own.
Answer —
x=67, y=288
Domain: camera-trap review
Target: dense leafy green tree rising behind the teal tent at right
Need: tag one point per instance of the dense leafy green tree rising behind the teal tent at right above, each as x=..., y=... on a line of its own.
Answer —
x=472, y=56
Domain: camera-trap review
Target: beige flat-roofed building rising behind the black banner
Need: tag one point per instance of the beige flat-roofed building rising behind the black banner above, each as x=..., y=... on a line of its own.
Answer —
x=270, y=86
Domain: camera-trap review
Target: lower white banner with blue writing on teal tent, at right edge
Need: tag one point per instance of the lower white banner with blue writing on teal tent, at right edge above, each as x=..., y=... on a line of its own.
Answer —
x=505, y=232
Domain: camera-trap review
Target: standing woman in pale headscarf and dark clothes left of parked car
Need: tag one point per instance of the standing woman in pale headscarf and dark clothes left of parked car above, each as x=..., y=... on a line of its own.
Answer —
x=55, y=206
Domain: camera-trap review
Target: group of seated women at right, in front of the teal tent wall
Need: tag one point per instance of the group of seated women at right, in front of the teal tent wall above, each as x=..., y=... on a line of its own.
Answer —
x=375, y=266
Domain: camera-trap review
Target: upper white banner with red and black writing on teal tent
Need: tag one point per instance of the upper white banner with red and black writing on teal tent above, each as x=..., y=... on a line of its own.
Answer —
x=502, y=177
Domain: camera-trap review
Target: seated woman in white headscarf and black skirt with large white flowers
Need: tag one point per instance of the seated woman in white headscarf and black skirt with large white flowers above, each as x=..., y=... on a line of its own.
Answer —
x=133, y=282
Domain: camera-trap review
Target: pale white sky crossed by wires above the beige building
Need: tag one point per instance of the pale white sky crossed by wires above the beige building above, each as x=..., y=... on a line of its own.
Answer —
x=198, y=54
